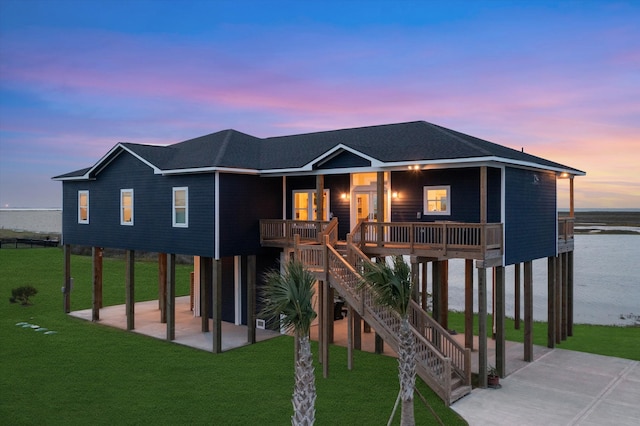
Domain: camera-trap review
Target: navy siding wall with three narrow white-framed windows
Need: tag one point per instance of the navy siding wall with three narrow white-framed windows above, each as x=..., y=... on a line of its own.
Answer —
x=152, y=229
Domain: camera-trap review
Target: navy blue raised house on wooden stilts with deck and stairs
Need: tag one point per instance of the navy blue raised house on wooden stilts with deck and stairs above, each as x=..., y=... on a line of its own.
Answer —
x=335, y=199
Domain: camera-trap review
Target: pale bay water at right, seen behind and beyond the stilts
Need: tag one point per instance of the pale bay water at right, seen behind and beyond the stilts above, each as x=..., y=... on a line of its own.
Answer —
x=606, y=282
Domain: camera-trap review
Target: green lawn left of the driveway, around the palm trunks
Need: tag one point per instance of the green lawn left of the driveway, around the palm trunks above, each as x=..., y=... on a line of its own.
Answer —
x=90, y=374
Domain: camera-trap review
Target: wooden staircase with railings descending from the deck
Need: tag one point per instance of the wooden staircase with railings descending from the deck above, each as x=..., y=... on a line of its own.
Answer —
x=442, y=363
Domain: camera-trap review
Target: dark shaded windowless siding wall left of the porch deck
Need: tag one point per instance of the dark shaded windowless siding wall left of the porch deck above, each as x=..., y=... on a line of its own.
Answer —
x=244, y=200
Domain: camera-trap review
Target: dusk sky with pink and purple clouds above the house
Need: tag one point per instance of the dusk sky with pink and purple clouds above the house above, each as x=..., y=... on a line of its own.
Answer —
x=559, y=79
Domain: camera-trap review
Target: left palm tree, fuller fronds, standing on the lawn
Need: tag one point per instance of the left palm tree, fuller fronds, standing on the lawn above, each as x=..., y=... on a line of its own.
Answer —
x=287, y=297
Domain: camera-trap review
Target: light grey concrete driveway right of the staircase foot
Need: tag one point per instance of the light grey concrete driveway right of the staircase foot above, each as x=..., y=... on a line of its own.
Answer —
x=560, y=388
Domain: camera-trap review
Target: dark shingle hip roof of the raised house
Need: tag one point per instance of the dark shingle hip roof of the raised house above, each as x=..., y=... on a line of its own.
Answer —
x=416, y=141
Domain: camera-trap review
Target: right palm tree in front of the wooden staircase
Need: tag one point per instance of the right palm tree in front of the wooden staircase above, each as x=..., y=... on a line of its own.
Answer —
x=392, y=287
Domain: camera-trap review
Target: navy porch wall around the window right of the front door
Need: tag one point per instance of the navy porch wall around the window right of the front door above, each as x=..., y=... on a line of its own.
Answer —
x=465, y=194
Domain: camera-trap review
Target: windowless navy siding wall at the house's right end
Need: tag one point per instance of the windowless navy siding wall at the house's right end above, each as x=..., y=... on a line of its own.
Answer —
x=530, y=223
